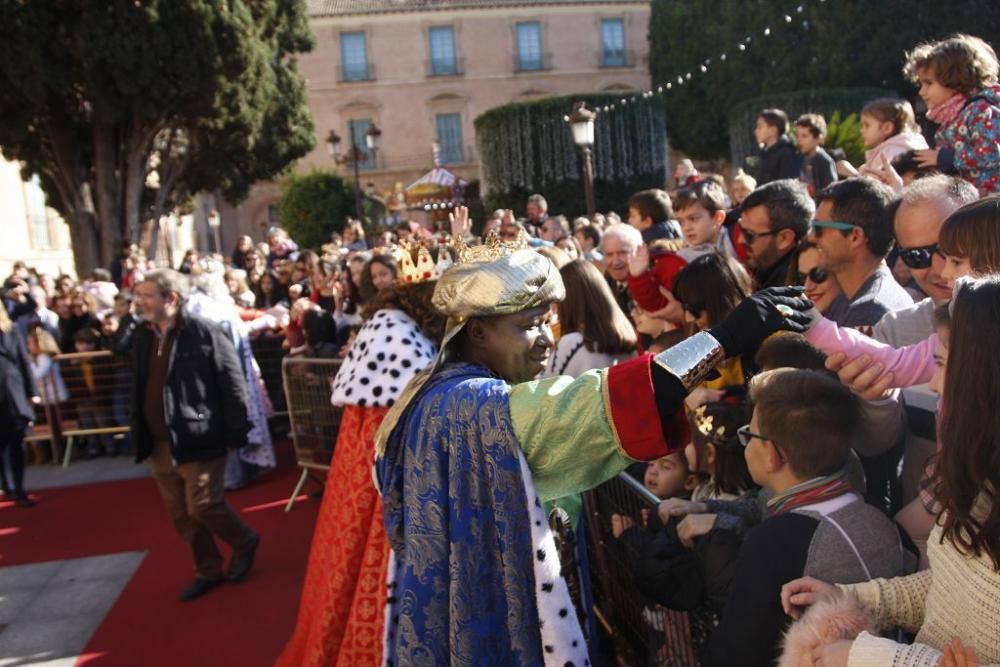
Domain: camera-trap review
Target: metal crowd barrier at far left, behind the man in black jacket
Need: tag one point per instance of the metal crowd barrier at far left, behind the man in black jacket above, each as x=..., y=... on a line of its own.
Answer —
x=87, y=395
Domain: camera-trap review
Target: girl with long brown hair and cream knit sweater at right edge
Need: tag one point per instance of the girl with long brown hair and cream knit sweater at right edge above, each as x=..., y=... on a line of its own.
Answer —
x=956, y=597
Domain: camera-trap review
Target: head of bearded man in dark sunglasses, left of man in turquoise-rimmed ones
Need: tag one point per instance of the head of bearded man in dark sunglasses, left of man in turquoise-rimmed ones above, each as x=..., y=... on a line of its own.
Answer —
x=775, y=217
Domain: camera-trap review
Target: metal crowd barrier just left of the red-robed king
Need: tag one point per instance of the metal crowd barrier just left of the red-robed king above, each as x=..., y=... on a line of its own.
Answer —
x=313, y=420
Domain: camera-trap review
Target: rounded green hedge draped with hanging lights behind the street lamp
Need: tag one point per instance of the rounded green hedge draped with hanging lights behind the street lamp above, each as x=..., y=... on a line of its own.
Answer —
x=528, y=147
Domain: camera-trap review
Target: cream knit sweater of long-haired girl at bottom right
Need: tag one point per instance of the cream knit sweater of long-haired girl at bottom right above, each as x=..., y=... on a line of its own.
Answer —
x=957, y=597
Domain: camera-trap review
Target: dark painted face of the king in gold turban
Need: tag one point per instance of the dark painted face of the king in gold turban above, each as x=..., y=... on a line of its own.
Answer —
x=515, y=347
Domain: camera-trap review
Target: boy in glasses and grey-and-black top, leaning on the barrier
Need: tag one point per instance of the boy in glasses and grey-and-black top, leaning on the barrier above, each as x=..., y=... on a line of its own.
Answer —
x=796, y=447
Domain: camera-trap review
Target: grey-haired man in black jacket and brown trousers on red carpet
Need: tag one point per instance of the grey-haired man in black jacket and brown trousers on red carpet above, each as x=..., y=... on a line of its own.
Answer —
x=188, y=409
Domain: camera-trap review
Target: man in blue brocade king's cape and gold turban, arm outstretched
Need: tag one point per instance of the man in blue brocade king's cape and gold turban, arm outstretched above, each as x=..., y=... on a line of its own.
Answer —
x=474, y=447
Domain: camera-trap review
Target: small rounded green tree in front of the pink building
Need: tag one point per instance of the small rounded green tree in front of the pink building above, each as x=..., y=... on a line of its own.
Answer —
x=313, y=206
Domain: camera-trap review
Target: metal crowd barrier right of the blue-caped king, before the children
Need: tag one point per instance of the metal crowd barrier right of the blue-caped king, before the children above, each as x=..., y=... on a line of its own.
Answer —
x=642, y=632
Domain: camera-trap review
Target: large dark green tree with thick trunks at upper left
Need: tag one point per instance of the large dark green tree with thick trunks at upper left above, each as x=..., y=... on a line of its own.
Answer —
x=94, y=97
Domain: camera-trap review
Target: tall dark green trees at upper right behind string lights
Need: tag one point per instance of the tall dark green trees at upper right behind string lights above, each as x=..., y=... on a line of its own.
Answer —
x=831, y=44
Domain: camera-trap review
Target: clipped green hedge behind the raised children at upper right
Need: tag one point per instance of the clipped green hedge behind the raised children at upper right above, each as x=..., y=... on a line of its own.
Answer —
x=843, y=101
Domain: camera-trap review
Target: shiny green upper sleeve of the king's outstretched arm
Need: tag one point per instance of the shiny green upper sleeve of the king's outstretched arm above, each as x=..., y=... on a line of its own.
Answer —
x=566, y=433
